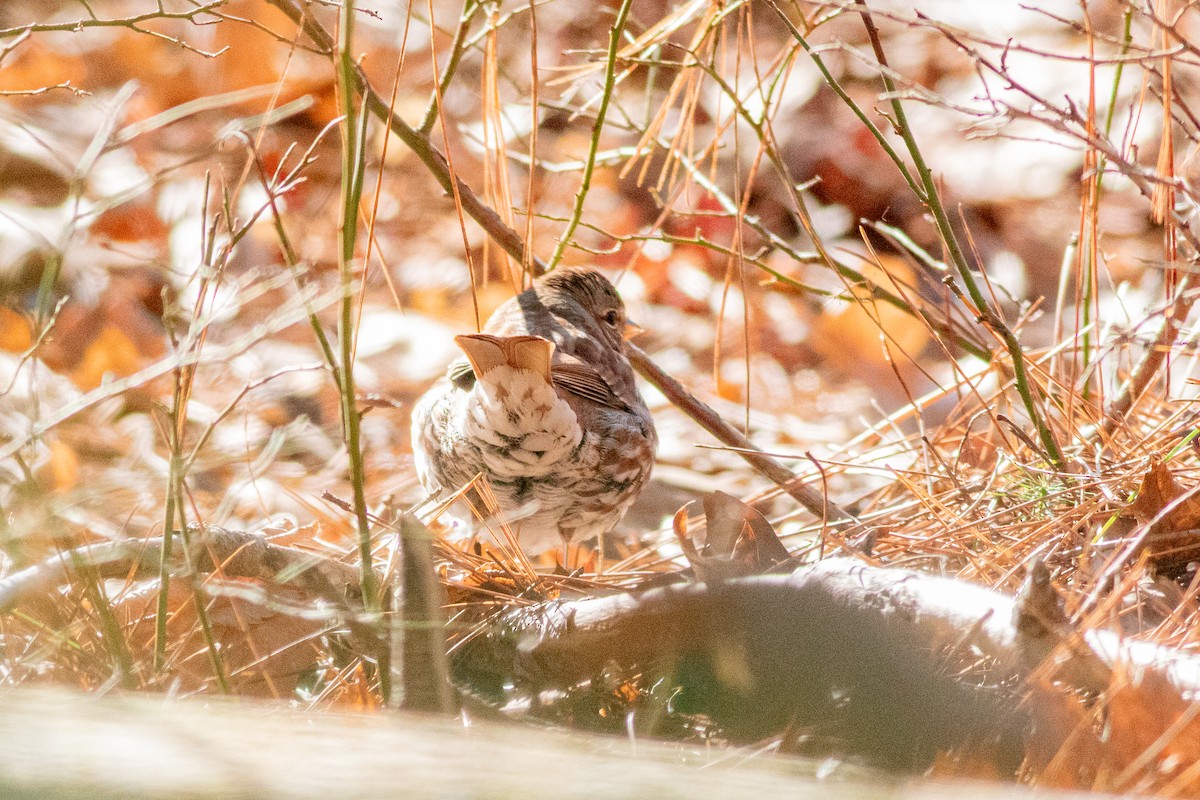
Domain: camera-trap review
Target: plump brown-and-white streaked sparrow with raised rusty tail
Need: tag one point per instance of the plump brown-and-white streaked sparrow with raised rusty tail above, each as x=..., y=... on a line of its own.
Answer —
x=544, y=406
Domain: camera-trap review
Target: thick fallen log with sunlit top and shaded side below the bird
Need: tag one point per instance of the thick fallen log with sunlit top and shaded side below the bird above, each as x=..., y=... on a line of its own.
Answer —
x=873, y=655
